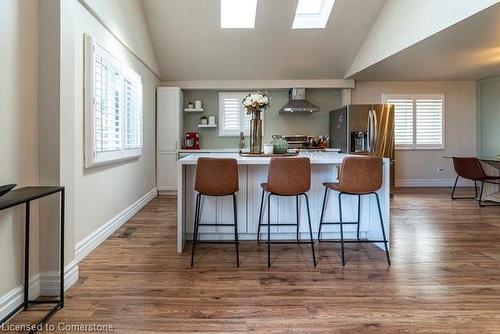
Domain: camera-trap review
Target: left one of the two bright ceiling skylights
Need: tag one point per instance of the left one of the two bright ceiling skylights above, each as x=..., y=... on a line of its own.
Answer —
x=237, y=13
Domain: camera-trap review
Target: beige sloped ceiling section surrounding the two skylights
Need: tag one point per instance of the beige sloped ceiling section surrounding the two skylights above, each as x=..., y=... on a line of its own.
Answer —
x=190, y=45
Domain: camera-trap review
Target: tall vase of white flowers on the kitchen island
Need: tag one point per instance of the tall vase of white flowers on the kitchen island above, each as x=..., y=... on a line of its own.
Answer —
x=254, y=104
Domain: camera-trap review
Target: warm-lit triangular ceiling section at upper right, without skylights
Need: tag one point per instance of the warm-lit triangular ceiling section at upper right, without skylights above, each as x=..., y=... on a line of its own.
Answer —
x=468, y=50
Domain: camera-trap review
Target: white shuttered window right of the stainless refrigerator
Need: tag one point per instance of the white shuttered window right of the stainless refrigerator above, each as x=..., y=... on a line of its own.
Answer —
x=418, y=121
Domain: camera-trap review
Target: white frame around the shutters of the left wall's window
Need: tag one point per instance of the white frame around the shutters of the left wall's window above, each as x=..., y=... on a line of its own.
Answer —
x=92, y=157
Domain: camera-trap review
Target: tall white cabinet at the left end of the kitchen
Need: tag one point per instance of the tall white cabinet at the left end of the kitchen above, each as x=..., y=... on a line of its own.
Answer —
x=169, y=105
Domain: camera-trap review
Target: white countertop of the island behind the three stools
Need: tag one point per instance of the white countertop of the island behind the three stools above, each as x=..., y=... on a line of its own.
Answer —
x=317, y=158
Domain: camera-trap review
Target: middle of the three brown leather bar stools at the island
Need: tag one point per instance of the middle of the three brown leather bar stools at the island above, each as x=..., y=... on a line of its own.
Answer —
x=286, y=177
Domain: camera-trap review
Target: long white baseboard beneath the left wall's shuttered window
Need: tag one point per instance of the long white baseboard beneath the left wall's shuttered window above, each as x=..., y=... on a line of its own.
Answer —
x=89, y=243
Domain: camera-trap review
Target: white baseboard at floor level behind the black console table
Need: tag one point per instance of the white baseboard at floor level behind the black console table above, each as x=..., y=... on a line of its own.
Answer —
x=42, y=284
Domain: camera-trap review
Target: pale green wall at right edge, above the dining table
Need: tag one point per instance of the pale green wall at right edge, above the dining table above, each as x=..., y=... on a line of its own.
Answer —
x=489, y=117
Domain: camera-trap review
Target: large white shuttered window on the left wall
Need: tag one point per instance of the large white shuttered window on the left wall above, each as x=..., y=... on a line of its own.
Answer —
x=113, y=108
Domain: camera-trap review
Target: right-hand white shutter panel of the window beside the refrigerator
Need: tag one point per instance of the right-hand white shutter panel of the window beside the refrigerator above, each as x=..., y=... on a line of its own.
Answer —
x=429, y=129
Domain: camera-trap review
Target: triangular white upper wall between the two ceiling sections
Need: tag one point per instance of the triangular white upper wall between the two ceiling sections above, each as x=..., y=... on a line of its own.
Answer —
x=402, y=23
